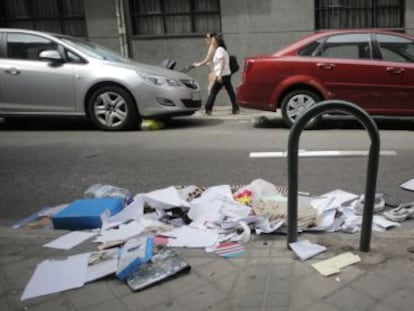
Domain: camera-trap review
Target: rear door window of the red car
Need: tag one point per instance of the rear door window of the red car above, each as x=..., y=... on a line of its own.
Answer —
x=348, y=46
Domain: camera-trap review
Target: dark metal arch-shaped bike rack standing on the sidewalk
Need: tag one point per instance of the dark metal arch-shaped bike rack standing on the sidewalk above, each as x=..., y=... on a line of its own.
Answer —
x=372, y=171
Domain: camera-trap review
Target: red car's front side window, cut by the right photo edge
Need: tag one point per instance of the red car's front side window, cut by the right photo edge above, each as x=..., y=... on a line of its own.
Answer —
x=396, y=48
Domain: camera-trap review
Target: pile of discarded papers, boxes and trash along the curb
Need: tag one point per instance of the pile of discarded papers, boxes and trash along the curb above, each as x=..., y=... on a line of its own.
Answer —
x=135, y=235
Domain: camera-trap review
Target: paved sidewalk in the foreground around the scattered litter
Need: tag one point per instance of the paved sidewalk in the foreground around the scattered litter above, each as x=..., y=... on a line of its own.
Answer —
x=266, y=277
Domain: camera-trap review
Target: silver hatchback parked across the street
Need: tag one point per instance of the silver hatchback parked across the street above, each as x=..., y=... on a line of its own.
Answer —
x=44, y=74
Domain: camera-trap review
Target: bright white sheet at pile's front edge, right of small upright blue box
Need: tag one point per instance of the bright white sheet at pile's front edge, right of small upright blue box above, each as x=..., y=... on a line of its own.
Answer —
x=192, y=237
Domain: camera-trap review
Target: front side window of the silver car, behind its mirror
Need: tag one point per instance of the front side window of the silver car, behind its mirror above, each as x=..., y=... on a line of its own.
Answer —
x=27, y=46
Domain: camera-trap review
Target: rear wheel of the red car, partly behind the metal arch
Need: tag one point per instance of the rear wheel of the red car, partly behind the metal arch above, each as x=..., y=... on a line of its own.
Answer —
x=295, y=103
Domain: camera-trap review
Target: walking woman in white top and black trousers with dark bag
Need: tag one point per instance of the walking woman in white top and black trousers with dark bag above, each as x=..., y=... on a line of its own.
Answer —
x=221, y=69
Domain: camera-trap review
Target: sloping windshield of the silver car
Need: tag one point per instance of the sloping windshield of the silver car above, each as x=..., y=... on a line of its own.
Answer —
x=94, y=50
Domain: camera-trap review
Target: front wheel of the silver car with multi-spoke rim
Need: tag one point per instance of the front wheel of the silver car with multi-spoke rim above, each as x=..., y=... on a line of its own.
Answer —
x=111, y=108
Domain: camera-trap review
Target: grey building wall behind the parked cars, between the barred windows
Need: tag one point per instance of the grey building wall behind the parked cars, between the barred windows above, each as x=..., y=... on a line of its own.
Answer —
x=249, y=28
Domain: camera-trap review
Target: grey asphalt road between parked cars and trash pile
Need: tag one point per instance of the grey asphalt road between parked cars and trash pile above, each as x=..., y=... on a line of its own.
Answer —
x=45, y=162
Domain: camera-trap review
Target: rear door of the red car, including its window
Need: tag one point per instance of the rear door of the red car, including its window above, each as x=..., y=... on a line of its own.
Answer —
x=345, y=67
